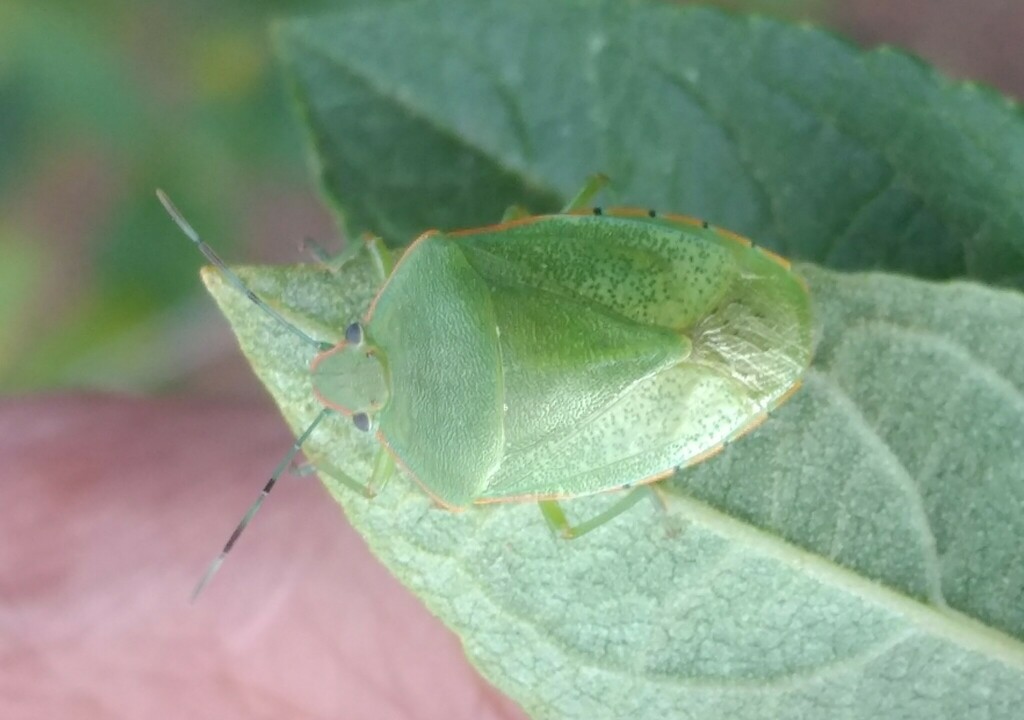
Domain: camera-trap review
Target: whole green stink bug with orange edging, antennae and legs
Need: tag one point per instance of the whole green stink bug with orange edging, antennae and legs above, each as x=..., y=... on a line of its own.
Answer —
x=554, y=357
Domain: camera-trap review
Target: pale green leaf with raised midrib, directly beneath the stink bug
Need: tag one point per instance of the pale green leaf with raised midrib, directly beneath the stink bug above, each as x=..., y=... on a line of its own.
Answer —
x=859, y=557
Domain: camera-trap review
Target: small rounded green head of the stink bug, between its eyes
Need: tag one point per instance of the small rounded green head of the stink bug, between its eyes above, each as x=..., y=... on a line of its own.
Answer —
x=352, y=379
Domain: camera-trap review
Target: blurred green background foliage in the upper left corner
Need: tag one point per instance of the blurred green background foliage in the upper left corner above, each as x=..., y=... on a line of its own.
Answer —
x=102, y=103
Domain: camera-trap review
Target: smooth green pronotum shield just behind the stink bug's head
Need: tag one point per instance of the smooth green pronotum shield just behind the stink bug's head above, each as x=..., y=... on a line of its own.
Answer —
x=437, y=326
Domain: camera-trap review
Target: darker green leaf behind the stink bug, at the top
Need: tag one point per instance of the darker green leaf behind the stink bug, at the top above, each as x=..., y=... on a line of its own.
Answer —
x=440, y=114
